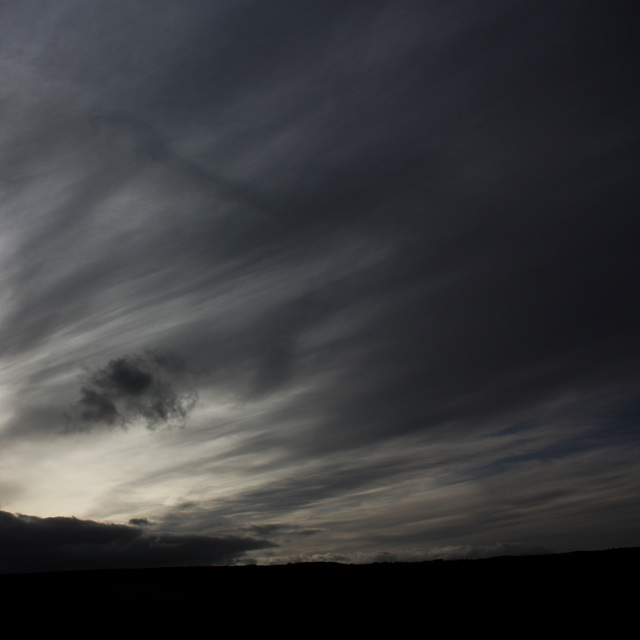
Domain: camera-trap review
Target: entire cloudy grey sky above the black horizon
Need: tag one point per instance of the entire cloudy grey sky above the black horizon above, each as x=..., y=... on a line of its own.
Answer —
x=298, y=280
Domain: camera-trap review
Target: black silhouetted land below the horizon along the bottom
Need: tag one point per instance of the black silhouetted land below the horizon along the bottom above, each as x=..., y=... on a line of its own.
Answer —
x=563, y=592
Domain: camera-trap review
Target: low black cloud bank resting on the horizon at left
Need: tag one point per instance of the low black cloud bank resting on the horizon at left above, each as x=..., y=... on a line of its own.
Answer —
x=30, y=544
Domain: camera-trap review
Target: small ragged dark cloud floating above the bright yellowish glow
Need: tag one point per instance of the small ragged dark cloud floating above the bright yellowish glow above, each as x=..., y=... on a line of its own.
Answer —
x=133, y=388
